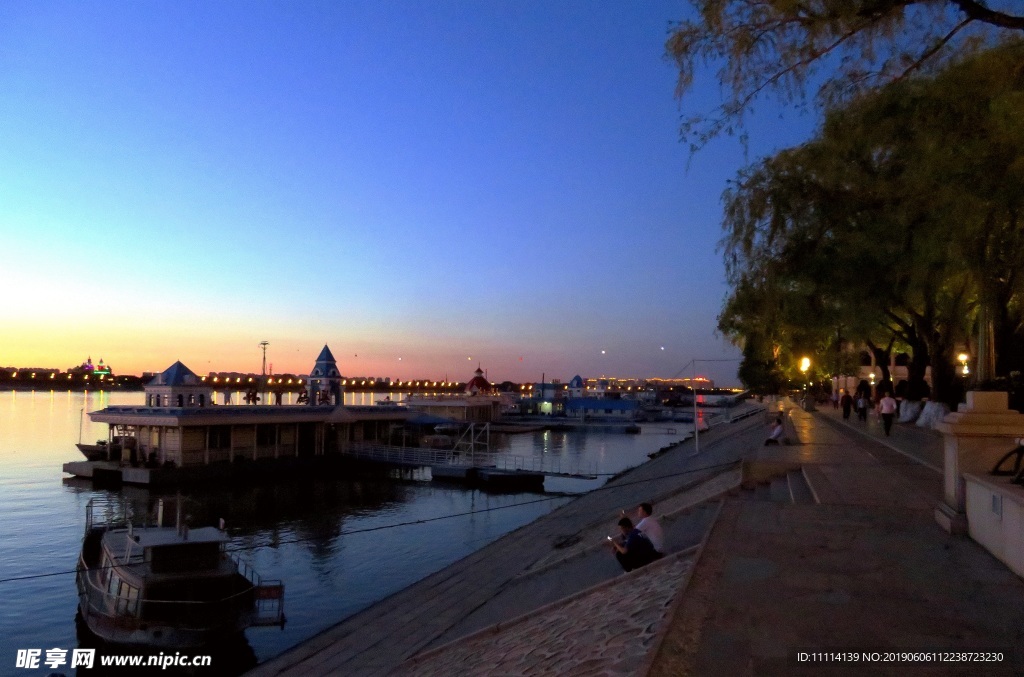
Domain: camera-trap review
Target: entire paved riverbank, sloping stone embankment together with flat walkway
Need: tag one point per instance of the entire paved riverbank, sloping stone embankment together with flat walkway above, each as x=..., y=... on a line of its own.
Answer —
x=837, y=551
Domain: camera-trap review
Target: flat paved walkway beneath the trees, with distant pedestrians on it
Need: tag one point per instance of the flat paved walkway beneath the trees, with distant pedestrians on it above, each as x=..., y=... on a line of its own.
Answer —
x=867, y=570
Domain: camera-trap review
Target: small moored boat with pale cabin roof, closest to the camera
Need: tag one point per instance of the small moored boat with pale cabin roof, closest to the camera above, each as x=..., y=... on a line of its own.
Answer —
x=167, y=587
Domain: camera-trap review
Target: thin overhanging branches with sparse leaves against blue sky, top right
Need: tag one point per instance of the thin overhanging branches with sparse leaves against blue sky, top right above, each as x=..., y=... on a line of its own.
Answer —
x=838, y=49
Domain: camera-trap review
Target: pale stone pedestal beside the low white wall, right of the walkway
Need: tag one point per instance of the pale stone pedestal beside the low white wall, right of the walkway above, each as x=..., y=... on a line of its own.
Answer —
x=975, y=438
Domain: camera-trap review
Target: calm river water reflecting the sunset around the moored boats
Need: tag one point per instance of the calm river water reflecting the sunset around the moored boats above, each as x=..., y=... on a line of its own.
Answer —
x=302, y=532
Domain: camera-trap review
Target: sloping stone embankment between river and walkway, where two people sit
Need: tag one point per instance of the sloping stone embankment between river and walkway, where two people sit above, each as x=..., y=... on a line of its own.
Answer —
x=553, y=569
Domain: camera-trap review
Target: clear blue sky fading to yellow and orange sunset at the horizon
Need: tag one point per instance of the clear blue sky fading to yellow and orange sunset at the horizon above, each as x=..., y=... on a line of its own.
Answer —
x=423, y=187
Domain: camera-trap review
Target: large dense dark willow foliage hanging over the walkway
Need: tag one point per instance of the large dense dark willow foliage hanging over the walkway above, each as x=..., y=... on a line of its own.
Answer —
x=898, y=226
